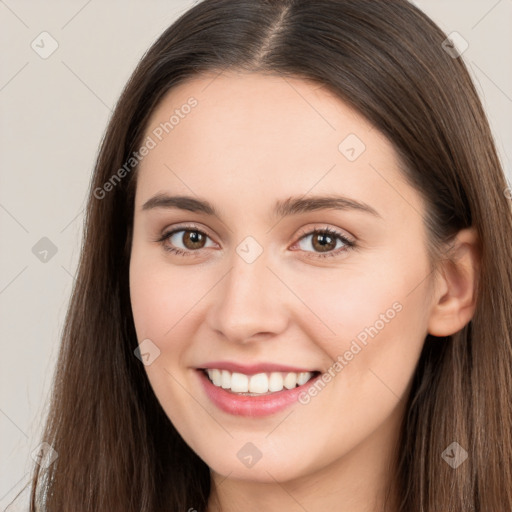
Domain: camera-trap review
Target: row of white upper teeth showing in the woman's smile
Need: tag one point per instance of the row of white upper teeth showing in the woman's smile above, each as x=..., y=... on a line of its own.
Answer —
x=258, y=384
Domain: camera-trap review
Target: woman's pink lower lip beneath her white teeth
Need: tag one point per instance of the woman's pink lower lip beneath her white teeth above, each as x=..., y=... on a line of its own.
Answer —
x=255, y=406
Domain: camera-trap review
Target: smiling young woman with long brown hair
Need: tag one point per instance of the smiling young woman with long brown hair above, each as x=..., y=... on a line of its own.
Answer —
x=295, y=286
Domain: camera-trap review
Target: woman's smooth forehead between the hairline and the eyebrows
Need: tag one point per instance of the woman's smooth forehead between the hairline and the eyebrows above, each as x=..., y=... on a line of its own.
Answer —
x=252, y=134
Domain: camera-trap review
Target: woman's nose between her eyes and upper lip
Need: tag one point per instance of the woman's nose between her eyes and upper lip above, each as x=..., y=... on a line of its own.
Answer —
x=249, y=303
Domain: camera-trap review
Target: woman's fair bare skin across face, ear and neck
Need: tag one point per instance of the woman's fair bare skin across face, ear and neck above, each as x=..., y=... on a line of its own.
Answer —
x=251, y=140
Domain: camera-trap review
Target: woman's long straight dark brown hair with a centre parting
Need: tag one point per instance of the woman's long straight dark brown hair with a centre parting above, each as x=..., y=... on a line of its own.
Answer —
x=117, y=450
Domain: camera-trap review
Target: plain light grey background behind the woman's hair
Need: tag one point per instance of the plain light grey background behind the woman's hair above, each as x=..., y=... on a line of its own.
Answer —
x=53, y=114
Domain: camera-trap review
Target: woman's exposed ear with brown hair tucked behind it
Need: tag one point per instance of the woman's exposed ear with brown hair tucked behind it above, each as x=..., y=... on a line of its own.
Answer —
x=454, y=299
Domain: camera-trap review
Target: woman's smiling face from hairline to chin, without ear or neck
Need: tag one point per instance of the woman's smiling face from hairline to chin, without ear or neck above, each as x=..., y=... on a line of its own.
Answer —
x=295, y=277
